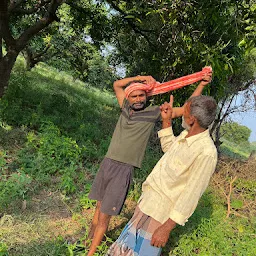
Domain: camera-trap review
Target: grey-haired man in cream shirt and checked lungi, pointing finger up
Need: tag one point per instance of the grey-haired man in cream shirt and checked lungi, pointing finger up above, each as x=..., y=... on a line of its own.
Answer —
x=171, y=192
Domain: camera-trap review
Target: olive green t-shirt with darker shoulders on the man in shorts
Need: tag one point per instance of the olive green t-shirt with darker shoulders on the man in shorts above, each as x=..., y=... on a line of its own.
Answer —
x=131, y=135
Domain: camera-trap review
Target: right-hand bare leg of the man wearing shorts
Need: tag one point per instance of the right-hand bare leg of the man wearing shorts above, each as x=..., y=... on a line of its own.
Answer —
x=99, y=232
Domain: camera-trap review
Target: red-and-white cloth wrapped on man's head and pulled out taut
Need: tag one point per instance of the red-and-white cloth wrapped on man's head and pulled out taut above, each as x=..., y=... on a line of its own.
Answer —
x=159, y=88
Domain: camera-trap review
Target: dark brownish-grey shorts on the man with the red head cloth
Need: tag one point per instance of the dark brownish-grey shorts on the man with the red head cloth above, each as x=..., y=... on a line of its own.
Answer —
x=111, y=185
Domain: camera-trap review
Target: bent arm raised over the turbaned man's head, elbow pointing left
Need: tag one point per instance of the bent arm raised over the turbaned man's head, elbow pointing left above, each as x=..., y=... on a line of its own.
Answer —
x=119, y=85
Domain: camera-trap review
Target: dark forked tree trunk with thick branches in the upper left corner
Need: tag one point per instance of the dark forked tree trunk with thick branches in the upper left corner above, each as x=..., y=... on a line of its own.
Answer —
x=9, y=9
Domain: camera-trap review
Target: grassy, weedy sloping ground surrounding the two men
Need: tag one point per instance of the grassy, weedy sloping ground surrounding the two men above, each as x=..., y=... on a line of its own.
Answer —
x=54, y=132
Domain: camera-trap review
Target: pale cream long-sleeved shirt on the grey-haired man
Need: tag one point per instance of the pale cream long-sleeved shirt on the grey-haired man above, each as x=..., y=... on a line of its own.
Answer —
x=174, y=187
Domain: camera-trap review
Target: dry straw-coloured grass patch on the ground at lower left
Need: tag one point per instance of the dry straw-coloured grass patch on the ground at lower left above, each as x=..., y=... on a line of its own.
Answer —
x=46, y=216
